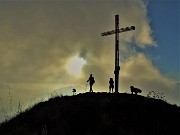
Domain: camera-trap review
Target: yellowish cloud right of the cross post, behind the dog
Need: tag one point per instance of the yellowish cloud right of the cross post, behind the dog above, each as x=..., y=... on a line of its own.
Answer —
x=139, y=71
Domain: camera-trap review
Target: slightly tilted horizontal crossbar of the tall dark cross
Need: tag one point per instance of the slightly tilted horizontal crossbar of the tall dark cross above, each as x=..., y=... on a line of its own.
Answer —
x=119, y=31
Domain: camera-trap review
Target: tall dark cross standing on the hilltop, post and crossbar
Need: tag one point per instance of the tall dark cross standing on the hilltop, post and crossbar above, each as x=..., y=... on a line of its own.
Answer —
x=116, y=32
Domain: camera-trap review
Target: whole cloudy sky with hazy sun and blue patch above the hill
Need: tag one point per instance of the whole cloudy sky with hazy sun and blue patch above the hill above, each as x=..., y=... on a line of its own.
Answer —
x=53, y=45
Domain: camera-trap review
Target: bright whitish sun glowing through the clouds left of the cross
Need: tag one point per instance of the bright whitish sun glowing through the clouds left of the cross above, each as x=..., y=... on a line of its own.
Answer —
x=75, y=65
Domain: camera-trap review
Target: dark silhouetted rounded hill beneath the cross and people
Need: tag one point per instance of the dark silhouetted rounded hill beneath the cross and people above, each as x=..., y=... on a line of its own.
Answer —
x=96, y=114
